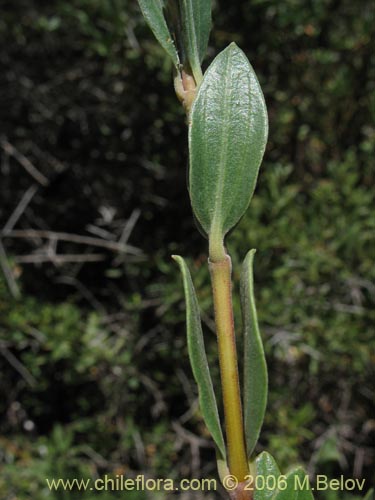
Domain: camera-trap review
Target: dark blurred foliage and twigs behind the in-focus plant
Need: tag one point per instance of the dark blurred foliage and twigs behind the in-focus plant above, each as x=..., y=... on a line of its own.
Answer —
x=95, y=376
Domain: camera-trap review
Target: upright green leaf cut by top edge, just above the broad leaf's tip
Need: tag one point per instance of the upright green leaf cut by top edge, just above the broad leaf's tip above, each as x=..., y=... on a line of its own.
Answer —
x=196, y=22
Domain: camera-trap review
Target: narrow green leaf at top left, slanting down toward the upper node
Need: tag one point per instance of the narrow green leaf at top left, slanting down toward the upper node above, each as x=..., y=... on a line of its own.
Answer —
x=152, y=11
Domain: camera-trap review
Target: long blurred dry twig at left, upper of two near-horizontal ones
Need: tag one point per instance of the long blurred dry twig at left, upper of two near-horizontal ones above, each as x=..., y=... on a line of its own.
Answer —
x=73, y=238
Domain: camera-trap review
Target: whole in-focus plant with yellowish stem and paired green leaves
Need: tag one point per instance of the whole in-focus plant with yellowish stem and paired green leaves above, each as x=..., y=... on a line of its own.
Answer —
x=227, y=128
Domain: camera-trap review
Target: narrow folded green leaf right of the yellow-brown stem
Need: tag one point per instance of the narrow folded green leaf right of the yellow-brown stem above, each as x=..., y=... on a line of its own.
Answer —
x=255, y=368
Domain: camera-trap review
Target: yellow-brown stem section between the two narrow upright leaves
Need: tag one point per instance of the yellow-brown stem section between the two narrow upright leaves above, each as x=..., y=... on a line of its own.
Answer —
x=222, y=293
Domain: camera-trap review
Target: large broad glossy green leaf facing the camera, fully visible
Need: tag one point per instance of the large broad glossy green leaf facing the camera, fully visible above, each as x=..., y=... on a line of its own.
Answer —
x=227, y=139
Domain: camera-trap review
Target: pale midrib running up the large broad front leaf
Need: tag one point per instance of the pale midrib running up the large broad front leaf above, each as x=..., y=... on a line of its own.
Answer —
x=215, y=229
